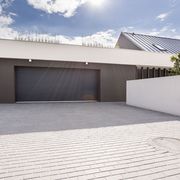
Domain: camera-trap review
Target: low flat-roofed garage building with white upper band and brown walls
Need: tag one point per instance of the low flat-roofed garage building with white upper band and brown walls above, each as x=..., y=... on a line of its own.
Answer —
x=35, y=71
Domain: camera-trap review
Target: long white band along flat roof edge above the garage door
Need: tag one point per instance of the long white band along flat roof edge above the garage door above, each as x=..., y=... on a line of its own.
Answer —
x=58, y=52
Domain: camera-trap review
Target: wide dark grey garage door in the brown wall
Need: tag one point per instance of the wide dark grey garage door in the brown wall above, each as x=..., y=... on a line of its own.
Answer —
x=56, y=84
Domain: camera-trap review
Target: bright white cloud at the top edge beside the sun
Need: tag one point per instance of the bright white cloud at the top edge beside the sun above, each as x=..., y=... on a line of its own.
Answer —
x=67, y=8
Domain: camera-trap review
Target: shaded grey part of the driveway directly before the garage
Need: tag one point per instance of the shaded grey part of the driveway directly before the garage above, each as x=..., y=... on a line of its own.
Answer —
x=26, y=118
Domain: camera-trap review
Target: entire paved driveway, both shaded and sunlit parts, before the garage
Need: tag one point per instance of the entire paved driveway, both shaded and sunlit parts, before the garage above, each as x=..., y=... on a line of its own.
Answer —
x=116, y=144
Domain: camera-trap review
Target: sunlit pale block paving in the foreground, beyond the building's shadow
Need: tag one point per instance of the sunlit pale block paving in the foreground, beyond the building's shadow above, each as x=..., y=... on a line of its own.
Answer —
x=111, y=153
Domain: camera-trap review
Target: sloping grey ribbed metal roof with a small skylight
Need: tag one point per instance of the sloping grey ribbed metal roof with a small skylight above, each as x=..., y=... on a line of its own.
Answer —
x=154, y=43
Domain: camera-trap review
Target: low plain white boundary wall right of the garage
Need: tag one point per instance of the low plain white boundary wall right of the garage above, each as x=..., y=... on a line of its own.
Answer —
x=159, y=94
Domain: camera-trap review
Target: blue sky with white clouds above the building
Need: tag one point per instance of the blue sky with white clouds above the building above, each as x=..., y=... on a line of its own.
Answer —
x=88, y=22
